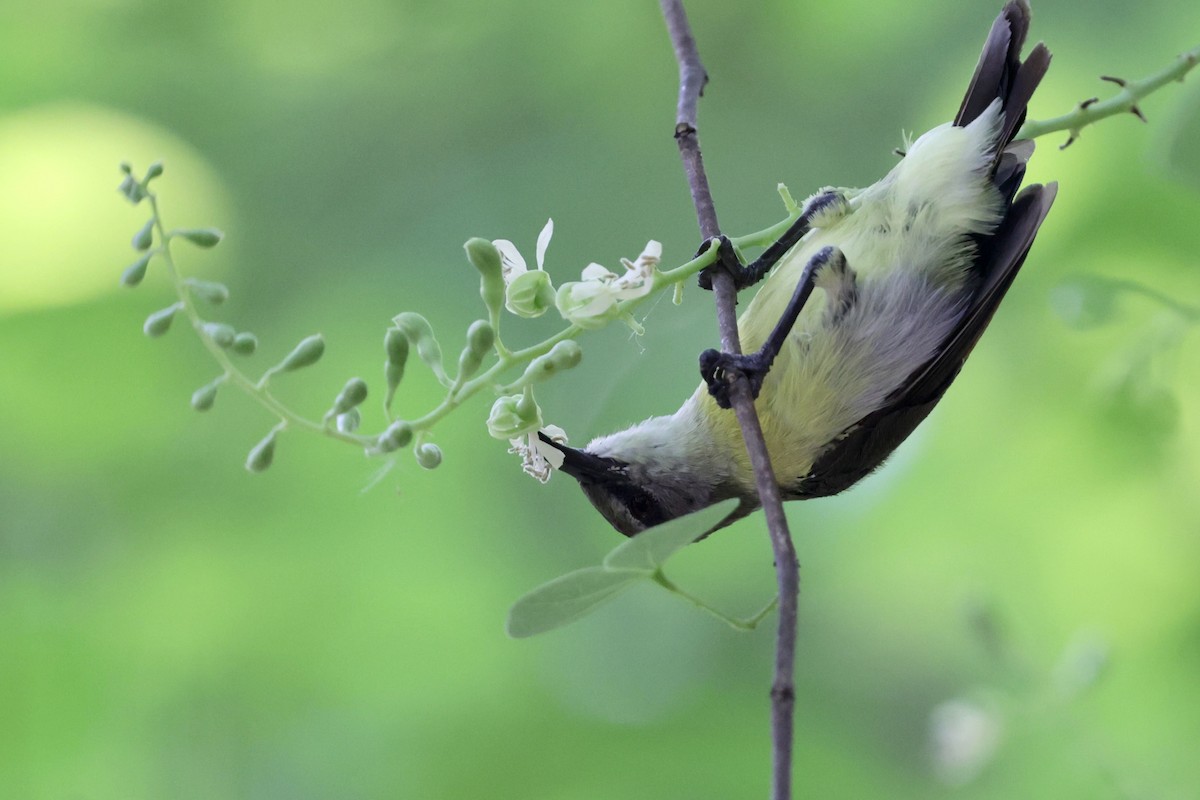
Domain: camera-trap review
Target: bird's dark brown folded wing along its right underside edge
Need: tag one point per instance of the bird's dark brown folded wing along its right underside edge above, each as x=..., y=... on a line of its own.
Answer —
x=863, y=447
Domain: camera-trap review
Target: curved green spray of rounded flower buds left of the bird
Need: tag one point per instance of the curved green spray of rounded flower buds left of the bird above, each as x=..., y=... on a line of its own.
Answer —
x=527, y=294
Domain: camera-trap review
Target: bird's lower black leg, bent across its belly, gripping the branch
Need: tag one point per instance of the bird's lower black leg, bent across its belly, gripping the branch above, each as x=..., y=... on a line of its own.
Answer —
x=719, y=369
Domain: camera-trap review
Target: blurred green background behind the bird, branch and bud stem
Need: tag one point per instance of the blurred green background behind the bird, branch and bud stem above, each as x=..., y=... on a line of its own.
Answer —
x=172, y=627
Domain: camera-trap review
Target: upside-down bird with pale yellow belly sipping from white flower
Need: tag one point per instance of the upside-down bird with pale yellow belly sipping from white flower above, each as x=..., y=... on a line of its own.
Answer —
x=871, y=306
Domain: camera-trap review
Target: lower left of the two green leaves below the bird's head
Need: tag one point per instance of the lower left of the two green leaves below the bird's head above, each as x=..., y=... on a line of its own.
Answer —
x=567, y=599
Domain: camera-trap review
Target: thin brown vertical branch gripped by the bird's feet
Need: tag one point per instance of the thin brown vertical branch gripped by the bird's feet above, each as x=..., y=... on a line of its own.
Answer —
x=693, y=79
